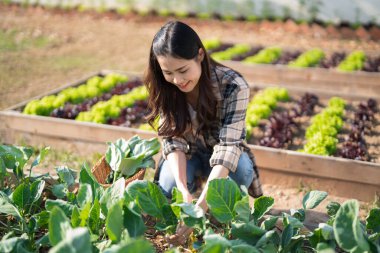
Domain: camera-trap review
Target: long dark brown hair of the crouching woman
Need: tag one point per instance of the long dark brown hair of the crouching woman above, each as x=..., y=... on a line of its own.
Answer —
x=177, y=40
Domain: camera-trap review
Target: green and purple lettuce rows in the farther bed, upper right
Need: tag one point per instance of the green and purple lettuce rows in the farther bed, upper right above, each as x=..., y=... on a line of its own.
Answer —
x=256, y=54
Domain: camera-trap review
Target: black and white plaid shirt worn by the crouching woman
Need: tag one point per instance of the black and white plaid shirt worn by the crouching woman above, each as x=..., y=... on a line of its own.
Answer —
x=226, y=139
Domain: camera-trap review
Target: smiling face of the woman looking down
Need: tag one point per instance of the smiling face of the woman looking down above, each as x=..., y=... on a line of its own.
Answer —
x=182, y=73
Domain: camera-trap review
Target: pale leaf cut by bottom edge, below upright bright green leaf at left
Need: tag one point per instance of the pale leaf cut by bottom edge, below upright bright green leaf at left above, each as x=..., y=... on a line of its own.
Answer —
x=76, y=241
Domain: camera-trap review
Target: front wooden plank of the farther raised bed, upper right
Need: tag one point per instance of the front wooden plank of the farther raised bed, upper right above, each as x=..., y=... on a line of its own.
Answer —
x=337, y=83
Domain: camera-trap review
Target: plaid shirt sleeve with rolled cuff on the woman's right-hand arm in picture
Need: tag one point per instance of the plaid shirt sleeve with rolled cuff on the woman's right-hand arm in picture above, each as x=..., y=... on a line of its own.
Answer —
x=227, y=152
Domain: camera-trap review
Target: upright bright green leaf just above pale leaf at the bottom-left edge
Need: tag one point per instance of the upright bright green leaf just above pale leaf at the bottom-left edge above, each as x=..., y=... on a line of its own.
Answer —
x=59, y=226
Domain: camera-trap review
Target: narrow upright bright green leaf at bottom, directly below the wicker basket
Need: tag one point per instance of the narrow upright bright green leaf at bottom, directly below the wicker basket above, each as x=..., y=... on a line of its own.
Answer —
x=114, y=222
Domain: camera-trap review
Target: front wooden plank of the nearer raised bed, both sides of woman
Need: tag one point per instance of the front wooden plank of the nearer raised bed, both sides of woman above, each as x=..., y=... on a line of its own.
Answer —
x=281, y=160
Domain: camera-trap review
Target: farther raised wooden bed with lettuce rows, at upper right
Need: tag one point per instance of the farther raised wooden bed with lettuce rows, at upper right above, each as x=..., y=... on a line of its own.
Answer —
x=273, y=68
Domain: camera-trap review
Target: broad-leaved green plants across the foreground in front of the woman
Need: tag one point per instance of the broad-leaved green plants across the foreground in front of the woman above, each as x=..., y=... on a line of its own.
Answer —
x=85, y=217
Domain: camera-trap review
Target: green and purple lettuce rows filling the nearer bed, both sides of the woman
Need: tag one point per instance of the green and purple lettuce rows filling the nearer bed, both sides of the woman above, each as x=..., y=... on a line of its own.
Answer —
x=302, y=122
